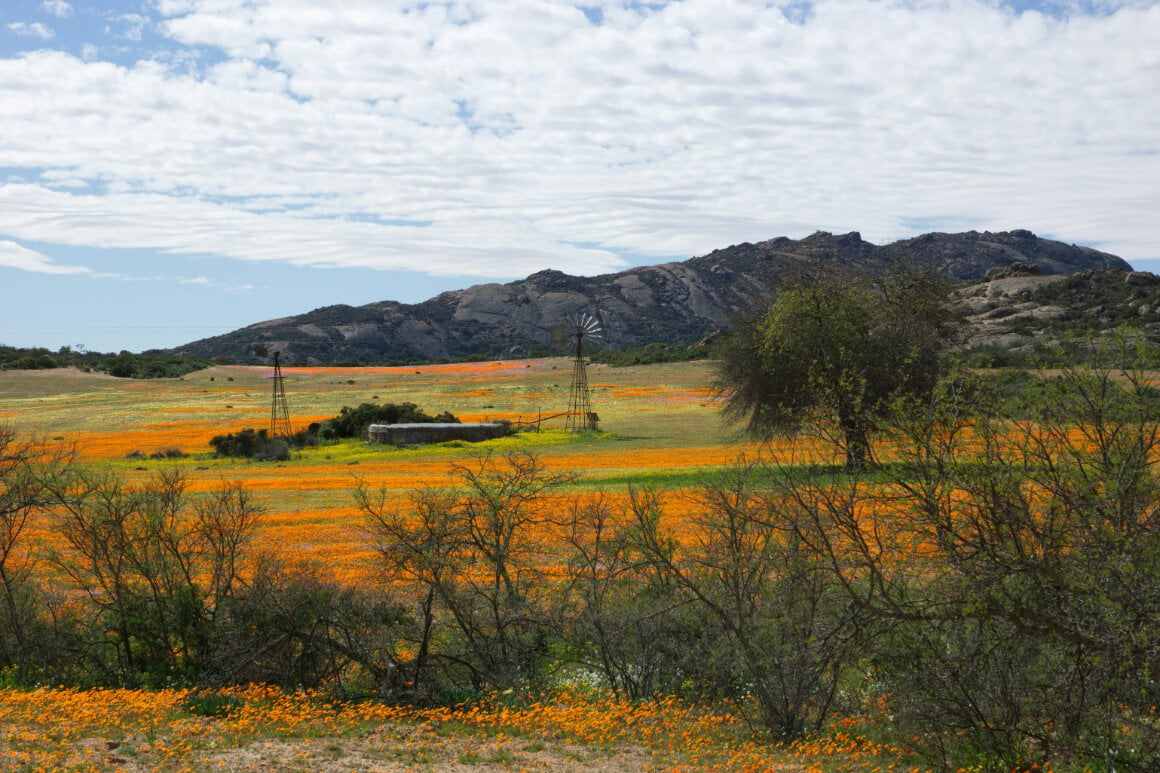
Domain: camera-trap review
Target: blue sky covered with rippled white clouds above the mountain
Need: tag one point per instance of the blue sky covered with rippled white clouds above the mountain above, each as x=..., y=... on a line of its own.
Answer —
x=173, y=170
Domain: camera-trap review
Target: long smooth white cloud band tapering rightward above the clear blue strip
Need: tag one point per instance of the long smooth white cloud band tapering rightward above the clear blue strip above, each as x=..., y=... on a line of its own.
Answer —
x=185, y=226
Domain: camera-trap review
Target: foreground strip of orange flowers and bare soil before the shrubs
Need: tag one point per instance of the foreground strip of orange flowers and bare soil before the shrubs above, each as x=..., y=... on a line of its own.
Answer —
x=266, y=729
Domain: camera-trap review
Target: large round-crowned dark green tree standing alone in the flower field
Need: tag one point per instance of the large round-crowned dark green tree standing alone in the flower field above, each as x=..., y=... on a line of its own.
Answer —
x=837, y=350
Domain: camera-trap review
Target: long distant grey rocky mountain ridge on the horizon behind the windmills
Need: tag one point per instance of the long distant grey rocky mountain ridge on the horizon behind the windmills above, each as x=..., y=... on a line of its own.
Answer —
x=672, y=304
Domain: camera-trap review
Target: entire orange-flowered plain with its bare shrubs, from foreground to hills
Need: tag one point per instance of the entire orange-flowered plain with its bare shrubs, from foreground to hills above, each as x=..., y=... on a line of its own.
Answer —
x=592, y=577
